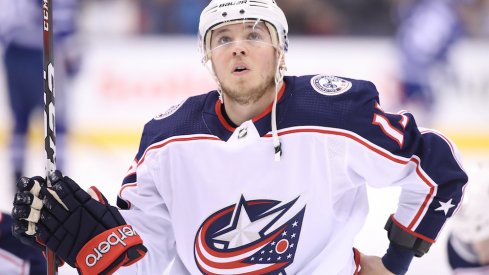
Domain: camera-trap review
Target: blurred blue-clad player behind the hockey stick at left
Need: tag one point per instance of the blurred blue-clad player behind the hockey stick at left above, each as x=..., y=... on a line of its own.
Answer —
x=21, y=37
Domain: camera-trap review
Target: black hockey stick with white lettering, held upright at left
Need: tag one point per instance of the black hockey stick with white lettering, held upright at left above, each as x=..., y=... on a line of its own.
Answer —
x=49, y=114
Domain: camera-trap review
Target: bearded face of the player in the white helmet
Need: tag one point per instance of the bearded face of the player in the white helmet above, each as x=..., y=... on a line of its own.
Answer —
x=244, y=60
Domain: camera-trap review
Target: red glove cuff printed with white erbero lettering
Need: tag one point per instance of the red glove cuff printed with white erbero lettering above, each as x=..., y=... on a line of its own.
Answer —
x=105, y=249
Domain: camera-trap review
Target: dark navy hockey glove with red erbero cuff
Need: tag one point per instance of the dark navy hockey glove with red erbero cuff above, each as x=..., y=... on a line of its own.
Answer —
x=88, y=234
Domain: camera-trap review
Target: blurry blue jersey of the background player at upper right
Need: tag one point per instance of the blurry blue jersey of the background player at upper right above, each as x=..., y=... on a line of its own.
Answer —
x=428, y=30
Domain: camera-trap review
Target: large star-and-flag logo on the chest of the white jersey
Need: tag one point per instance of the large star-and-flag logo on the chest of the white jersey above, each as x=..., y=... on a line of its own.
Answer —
x=249, y=237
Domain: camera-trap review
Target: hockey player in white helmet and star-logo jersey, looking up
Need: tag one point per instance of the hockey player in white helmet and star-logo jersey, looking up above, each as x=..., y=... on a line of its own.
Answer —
x=265, y=175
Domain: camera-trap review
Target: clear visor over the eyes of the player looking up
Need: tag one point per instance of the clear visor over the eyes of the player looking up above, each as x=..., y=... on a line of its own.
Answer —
x=247, y=33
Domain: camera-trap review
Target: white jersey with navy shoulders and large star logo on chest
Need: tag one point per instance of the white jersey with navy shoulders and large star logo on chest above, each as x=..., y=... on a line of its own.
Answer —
x=211, y=196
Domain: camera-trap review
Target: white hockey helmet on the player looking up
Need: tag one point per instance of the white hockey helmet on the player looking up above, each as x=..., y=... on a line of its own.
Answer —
x=225, y=11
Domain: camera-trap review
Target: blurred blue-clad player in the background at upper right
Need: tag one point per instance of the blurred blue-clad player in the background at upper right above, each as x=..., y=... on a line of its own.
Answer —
x=428, y=31
